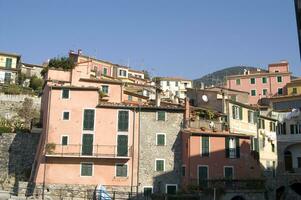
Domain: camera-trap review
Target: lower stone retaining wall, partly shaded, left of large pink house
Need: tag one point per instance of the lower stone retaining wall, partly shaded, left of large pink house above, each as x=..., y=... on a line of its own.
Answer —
x=17, y=152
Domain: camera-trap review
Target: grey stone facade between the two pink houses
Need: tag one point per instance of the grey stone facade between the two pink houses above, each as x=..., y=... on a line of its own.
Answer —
x=149, y=151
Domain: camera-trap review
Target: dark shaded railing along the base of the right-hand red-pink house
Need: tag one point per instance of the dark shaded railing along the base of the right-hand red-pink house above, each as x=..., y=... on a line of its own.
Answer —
x=227, y=184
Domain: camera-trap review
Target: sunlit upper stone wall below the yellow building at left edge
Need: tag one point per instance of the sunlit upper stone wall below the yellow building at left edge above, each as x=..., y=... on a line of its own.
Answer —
x=9, y=104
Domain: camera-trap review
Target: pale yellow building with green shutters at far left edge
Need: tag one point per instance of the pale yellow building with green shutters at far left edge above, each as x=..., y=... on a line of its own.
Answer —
x=9, y=67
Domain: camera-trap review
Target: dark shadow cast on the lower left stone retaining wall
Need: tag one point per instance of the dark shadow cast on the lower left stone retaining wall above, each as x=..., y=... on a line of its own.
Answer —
x=21, y=157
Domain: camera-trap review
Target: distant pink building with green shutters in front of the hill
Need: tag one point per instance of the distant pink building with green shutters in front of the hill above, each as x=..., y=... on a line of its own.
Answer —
x=262, y=83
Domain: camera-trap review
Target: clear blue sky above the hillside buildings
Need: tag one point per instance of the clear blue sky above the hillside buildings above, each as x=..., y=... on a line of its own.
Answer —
x=168, y=38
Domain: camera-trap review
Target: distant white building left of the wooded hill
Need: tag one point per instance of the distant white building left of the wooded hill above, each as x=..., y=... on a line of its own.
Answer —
x=173, y=87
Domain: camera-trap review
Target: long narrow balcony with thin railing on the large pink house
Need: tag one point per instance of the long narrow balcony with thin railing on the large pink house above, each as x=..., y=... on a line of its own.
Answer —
x=88, y=151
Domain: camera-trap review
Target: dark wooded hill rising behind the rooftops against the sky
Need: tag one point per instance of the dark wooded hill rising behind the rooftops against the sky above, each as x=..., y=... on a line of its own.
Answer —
x=219, y=77
